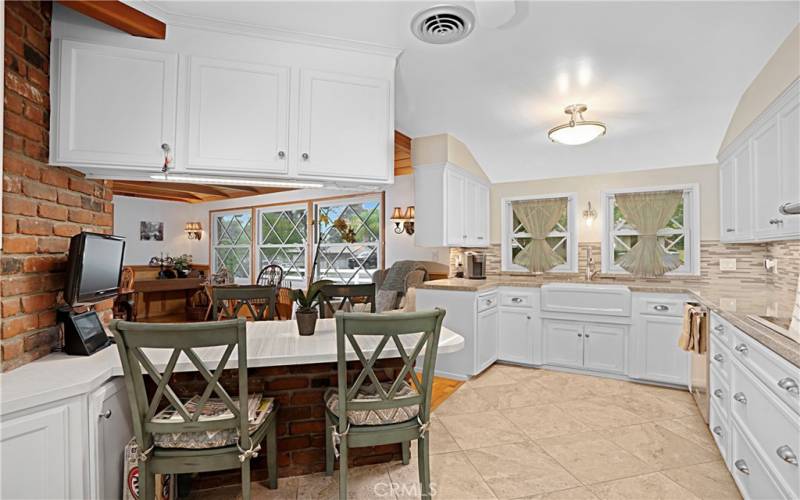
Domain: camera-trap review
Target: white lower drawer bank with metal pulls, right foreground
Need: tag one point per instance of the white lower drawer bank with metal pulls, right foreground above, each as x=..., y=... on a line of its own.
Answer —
x=755, y=426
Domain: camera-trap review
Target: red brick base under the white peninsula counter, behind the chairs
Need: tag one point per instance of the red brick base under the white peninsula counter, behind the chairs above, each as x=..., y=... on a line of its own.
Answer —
x=301, y=416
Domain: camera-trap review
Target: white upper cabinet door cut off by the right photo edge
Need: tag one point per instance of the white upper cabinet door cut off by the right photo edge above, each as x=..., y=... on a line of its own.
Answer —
x=789, y=120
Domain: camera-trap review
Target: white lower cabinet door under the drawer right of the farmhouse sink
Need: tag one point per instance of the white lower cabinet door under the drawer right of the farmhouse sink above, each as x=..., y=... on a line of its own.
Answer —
x=663, y=360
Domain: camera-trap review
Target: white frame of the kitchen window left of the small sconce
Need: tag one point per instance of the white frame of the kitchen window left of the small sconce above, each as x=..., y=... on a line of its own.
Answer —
x=507, y=219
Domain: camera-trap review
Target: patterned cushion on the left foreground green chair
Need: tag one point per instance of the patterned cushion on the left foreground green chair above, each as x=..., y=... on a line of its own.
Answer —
x=259, y=409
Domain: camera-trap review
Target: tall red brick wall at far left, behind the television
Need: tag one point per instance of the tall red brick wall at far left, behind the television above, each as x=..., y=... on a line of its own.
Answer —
x=42, y=206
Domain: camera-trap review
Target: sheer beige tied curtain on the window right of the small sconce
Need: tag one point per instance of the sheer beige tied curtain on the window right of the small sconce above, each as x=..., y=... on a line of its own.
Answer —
x=648, y=213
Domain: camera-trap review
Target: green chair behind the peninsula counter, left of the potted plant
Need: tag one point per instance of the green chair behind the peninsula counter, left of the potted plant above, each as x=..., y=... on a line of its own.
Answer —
x=259, y=301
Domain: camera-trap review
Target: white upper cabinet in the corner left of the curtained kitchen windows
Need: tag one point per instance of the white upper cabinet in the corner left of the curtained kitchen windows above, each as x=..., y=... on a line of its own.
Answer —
x=452, y=207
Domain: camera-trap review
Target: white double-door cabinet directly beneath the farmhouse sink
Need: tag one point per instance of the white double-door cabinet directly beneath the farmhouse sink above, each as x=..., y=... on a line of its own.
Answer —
x=599, y=347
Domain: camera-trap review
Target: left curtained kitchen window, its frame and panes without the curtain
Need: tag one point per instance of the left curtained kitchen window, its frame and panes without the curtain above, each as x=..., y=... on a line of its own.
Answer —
x=562, y=239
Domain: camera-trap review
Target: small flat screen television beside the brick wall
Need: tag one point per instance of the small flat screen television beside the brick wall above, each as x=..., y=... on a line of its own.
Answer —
x=93, y=268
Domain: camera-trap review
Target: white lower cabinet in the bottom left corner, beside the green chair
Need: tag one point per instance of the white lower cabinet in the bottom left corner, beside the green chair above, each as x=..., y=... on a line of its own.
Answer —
x=71, y=448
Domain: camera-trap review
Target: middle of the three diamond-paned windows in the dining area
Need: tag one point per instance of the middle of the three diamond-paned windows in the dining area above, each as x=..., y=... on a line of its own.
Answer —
x=282, y=241
